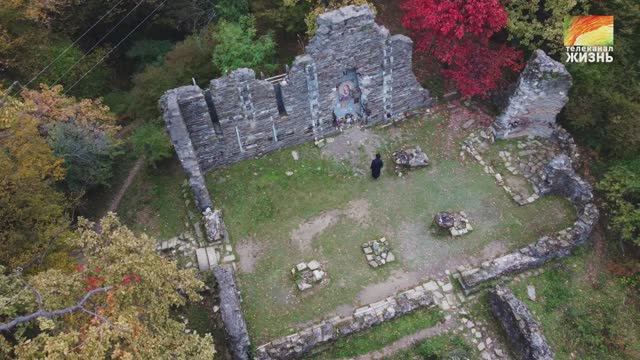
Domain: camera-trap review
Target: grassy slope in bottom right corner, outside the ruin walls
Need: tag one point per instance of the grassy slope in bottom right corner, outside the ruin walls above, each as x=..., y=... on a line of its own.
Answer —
x=584, y=320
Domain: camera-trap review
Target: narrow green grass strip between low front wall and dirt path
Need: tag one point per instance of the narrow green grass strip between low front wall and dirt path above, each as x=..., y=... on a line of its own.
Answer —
x=379, y=336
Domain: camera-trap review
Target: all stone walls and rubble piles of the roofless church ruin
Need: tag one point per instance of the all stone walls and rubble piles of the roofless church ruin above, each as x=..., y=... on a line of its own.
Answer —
x=355, y=73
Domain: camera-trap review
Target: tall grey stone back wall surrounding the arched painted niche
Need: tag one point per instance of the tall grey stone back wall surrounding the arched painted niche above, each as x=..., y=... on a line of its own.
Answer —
x=238, y=117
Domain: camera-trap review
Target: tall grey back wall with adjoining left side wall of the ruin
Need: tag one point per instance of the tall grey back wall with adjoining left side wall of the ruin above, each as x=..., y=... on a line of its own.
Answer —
x=353, y=72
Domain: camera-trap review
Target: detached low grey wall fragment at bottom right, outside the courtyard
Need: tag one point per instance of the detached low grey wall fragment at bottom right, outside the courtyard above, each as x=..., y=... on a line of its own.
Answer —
x=523, y=331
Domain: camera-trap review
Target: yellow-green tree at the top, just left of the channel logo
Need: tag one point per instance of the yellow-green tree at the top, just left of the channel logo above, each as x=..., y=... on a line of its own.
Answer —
x=538, y=24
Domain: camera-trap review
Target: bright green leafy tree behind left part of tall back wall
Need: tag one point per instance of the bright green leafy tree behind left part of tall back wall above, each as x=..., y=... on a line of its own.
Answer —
x=238, y=46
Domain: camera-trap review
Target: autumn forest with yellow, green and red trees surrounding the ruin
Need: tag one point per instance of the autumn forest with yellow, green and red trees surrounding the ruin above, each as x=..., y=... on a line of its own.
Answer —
x=79, y=87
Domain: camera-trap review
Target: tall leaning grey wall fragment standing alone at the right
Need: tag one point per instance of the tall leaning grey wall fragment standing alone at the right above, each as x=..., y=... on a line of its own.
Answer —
x=541, y=92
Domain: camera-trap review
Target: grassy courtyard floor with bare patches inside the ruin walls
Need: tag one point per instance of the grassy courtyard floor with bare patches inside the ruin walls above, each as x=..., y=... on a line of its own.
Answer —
x=280, y=211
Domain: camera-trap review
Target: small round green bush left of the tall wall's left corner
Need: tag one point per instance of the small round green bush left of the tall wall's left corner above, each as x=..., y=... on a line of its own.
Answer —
x=150, y=140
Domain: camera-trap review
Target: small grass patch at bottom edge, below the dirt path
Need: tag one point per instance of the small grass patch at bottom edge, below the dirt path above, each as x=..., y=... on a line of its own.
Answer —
x=445, y=346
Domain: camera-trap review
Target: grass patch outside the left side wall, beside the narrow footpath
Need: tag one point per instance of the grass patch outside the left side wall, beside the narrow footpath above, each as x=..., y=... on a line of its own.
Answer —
x=154, y=203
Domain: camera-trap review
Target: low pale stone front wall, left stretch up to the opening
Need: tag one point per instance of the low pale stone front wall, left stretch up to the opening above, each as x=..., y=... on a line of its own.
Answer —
x=296, y=345
